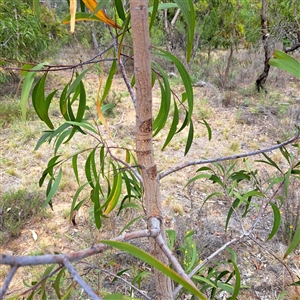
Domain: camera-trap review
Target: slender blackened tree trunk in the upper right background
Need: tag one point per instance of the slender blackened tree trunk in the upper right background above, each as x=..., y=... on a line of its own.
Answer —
x=265, y=37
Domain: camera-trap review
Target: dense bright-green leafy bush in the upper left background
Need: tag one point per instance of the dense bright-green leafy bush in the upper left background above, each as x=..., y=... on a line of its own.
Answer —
x=25, y=32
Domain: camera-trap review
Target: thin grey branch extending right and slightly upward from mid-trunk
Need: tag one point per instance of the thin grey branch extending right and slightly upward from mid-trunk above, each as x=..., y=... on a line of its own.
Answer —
x=224, y=158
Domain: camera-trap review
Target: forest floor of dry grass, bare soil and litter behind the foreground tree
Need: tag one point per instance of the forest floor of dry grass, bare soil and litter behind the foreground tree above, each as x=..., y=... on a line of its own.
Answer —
x=241, y=120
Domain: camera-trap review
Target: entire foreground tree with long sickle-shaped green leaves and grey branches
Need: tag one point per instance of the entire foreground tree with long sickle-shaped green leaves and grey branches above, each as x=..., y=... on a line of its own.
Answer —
x=130, y=179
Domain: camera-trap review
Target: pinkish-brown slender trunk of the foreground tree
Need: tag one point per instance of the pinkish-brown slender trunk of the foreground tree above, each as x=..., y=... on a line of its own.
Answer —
x=144, y=143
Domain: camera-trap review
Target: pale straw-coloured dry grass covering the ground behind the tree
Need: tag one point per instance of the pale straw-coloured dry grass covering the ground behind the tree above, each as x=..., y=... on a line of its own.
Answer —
x=253, y=128
